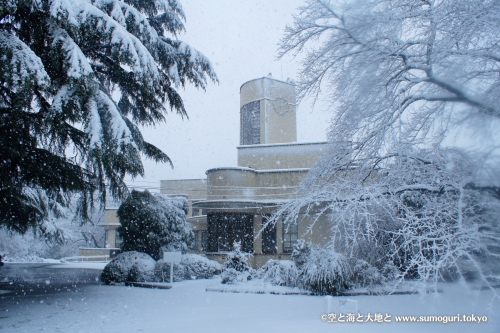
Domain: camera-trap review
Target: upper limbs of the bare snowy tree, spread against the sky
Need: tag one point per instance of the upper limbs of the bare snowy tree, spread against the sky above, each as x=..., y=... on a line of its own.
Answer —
x=395, y=68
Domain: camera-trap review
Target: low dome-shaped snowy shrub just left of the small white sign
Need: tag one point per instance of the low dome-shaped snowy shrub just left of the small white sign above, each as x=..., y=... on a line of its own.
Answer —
x=129, y=266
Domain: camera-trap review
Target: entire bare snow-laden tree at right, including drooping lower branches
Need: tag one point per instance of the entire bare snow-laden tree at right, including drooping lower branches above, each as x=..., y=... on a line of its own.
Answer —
x=396, y=72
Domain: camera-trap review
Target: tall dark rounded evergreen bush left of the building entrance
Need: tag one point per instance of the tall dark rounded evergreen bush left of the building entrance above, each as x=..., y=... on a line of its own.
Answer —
x=150, y=223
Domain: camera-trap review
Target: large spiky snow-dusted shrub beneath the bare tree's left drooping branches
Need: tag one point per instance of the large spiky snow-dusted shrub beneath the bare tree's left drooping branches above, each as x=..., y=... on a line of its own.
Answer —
x=322, y=271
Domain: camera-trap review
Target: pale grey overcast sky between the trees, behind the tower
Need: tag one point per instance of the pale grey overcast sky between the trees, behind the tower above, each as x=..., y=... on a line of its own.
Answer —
x=240, y=38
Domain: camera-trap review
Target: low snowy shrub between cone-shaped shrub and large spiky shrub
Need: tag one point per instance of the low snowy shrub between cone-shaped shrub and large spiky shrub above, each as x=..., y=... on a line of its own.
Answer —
x=279, y=273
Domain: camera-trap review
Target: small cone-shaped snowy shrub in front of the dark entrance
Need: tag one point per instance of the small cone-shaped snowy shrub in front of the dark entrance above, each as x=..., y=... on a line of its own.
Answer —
x=236, y=268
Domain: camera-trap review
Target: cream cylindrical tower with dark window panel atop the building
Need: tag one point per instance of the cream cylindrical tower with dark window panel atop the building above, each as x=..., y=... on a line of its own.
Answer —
x=267, y=112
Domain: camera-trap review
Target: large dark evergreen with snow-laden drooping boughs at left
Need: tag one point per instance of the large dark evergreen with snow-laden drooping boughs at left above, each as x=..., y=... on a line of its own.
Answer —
x=77, y=79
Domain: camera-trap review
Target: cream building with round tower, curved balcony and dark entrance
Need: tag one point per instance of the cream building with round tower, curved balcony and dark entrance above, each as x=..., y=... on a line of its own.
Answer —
x=233, y=203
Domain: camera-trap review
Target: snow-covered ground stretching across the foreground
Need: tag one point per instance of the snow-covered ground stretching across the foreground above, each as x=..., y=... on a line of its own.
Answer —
x=187, y=307
